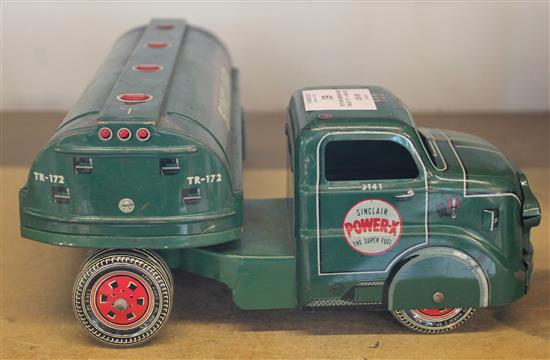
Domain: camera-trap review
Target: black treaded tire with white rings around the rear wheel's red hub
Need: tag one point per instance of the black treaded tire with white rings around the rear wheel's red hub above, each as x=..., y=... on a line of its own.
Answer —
x=150, y=273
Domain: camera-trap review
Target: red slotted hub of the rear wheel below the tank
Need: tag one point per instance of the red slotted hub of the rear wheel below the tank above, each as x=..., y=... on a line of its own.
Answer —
x=121, y=299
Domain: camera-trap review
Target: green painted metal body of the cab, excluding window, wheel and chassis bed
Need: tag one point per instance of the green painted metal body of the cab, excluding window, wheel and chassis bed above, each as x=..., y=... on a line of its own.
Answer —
x=462, y=180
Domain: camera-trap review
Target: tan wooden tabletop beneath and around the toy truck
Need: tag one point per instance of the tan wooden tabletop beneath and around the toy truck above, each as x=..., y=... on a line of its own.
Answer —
x=37, y=279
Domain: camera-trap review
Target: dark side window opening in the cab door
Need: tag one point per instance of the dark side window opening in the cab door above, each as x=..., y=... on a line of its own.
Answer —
x=349, y=160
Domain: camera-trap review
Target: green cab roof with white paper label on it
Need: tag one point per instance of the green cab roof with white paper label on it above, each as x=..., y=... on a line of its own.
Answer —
x=382, y=110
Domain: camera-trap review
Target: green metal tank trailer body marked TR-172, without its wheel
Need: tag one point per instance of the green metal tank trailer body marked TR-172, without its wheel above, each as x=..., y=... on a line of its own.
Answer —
x=193, y=116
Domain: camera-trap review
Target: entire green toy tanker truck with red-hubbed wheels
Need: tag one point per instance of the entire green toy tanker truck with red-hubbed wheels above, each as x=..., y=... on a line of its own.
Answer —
x=146, y=169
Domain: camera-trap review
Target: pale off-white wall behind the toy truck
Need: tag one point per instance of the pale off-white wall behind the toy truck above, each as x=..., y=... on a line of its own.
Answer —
x=436, y=57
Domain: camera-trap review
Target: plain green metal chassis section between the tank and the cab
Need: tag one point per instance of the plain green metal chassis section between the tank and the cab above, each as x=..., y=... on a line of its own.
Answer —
x=260, y=268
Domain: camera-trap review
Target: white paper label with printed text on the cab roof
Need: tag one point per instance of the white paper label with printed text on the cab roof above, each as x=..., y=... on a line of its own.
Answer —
x=338, y=99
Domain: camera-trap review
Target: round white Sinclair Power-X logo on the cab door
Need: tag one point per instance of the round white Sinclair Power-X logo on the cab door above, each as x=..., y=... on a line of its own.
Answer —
x=372, y=226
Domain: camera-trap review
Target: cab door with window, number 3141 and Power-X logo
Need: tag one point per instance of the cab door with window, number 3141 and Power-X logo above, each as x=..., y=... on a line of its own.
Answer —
x=372, y=201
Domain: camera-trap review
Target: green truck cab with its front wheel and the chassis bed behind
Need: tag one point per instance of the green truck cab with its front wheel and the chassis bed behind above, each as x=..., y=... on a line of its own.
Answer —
x=429, y=224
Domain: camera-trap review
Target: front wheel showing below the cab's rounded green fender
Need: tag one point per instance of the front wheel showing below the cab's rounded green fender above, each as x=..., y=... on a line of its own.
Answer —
x=433, y=321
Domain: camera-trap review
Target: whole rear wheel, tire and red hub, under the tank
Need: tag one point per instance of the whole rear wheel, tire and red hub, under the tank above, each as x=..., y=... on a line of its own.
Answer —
x=122, y=297
